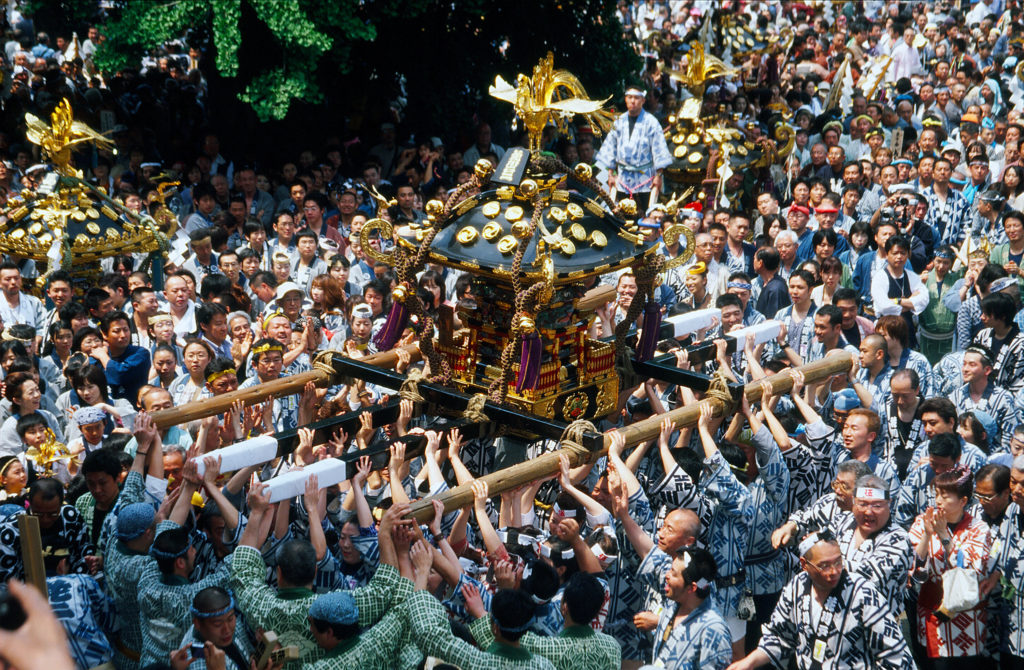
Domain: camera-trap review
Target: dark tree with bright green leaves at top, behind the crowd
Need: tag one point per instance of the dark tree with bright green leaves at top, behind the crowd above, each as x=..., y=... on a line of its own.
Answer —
x=276, y=56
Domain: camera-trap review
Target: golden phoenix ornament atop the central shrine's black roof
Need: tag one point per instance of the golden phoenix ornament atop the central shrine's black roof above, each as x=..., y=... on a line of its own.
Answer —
x=551, y=96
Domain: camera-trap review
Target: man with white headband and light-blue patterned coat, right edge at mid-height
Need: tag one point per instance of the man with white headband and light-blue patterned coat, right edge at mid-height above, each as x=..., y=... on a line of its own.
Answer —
x=979, y=393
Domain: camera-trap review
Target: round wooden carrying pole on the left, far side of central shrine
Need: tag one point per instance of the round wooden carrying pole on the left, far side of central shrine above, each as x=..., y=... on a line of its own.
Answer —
x=261, y=393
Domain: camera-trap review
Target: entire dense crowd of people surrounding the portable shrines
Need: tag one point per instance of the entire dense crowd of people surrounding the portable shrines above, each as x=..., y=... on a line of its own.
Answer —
x=873, y=519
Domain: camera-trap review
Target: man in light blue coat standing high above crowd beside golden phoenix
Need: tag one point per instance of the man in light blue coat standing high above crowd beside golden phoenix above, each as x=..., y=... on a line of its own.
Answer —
x=635, y=152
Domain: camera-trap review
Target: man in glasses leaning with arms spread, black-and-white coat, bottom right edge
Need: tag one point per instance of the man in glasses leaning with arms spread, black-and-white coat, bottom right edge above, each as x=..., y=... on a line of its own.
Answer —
x=828, y=617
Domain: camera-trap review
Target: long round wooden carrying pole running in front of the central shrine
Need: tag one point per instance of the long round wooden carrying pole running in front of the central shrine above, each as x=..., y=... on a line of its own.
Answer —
x=547, y=465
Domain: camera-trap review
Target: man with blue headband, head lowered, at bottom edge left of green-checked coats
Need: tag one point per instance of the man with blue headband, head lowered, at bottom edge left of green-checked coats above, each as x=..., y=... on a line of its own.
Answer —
x=216, y=623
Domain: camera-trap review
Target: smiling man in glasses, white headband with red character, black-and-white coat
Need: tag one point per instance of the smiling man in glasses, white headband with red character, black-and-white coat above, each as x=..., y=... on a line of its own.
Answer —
x=873, y=547
